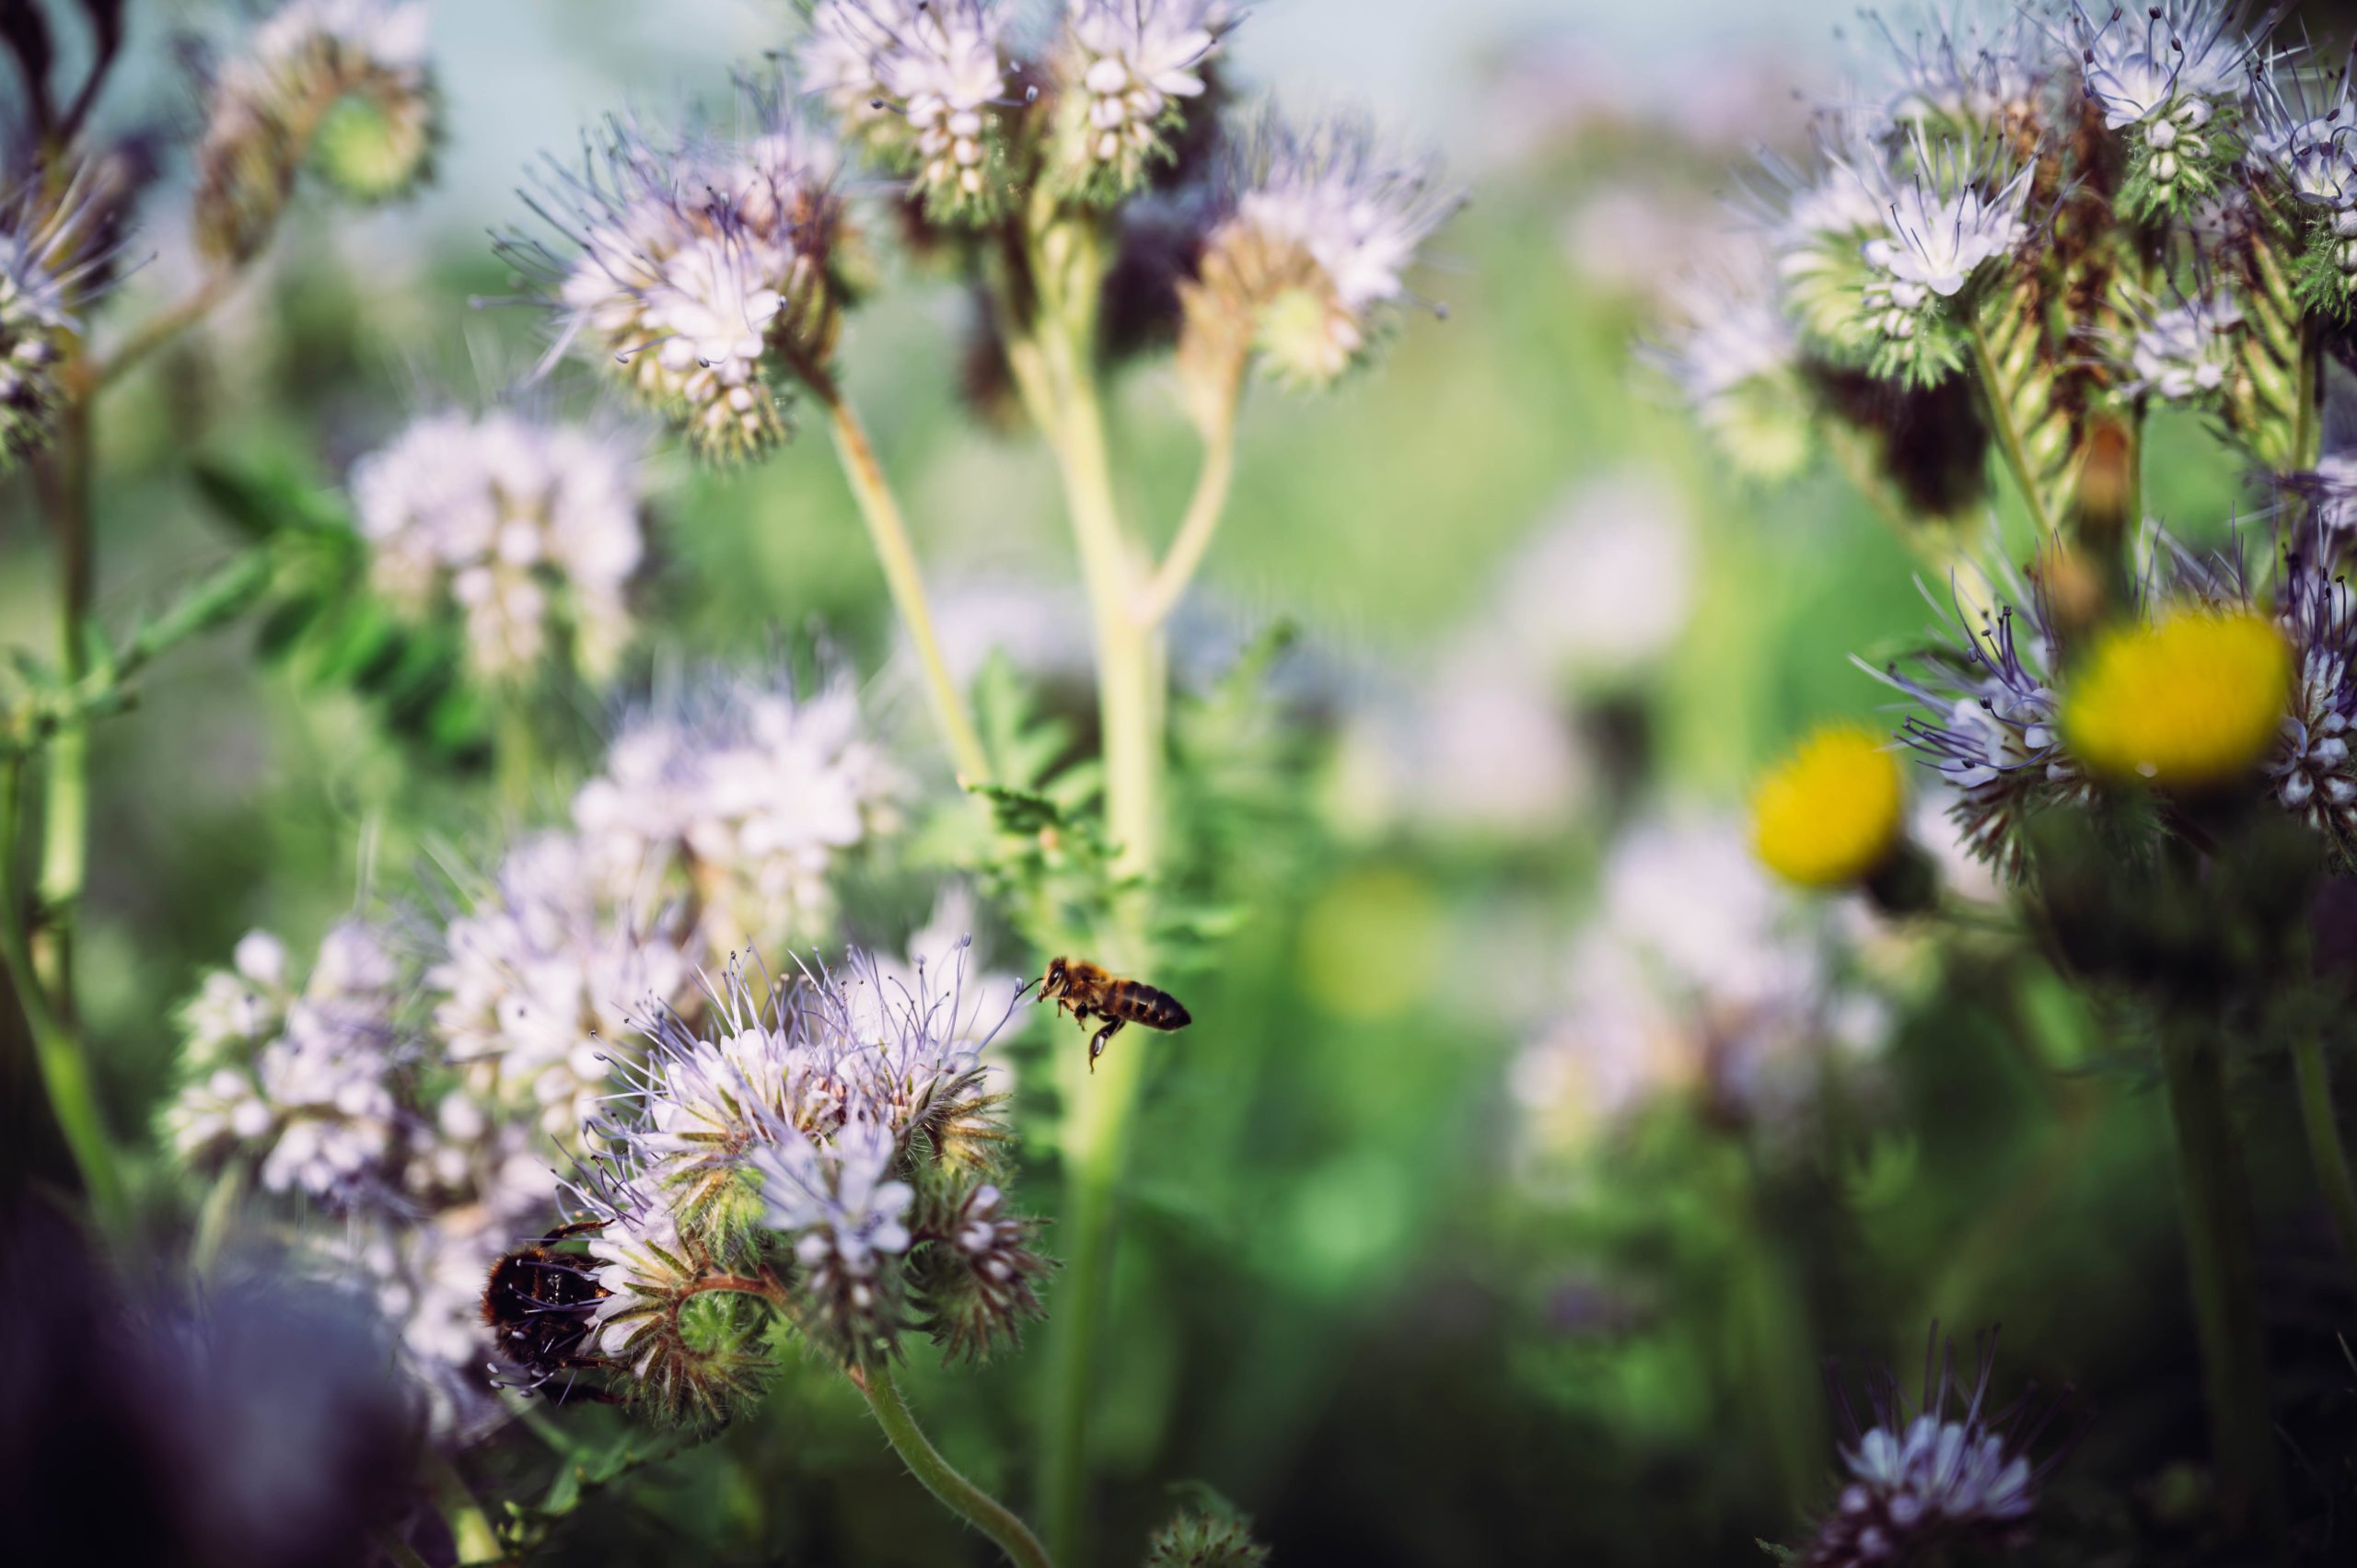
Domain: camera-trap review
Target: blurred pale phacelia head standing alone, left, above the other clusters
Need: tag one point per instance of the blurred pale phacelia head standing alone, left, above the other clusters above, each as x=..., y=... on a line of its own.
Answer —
x=527, y=529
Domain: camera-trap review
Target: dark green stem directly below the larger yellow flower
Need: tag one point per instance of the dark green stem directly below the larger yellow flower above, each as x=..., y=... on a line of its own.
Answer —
x=2224, y=1282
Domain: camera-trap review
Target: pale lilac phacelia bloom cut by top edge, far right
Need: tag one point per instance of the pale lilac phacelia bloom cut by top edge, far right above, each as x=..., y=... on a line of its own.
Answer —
x=2170, y=79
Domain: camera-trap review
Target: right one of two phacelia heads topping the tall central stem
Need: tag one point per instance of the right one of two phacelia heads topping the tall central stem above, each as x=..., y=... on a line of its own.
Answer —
x=1130, y=74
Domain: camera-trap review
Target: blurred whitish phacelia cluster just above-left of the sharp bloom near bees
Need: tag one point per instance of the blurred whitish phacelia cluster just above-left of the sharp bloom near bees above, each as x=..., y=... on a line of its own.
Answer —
x=543, y=977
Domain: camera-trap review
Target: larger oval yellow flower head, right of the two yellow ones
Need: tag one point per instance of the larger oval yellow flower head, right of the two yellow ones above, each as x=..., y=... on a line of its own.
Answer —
x=2191, y=701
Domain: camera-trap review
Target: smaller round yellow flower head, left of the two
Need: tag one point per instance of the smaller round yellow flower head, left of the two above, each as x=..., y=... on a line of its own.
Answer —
x=1833, y=812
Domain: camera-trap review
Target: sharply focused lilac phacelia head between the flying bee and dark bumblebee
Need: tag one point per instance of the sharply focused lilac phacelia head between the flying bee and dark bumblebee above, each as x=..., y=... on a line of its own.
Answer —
x=847, y=1116
